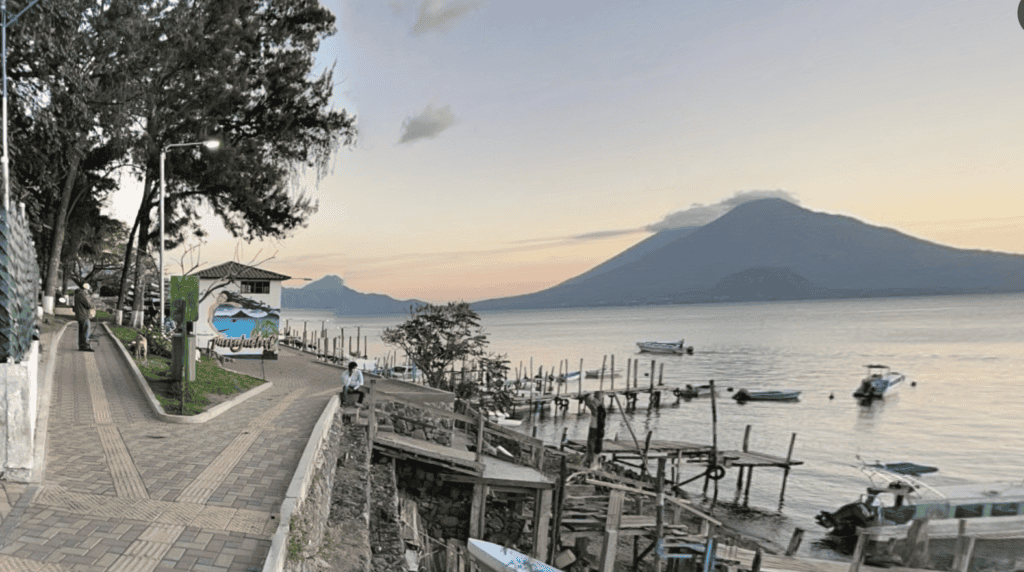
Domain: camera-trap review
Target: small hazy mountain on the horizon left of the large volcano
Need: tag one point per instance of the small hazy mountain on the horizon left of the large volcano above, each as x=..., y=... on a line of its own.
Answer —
x=330, y=293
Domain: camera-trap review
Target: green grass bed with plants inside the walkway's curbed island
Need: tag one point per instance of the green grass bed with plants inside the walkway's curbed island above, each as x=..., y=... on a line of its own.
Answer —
x=214, y=384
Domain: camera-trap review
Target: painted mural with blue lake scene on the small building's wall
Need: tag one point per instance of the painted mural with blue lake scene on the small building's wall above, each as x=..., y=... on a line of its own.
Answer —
x=244, y=328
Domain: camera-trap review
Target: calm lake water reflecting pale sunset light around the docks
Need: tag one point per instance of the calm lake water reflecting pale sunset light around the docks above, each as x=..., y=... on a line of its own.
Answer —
x=965, y=354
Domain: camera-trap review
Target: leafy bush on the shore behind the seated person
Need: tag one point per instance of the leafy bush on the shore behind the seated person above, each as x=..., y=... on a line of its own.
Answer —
x=437, y=336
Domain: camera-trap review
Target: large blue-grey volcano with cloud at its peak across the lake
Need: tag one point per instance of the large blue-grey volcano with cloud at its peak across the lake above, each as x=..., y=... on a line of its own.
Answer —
x=775, y=250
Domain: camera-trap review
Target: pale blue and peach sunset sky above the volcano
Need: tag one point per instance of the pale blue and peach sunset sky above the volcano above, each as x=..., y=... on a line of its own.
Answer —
x=507, y=147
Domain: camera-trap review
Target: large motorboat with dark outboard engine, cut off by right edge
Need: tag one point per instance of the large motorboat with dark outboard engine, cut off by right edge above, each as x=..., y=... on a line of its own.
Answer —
x=894, y=500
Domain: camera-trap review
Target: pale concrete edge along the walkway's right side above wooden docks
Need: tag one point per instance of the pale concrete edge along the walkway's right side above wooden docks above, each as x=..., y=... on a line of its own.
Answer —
x=300, y=487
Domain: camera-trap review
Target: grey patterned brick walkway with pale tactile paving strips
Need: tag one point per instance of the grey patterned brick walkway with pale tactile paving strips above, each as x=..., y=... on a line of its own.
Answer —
x=125, y=492
